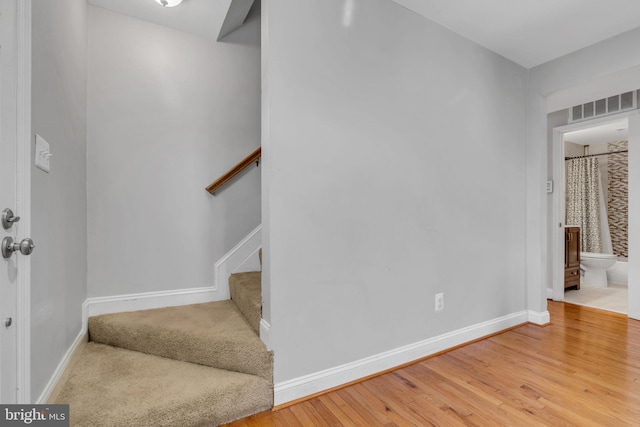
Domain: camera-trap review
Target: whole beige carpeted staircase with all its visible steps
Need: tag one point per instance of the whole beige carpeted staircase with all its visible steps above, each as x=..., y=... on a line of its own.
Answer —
x=195, y=365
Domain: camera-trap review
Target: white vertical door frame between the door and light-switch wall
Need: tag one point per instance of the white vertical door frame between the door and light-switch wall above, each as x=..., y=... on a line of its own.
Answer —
x=23, y=196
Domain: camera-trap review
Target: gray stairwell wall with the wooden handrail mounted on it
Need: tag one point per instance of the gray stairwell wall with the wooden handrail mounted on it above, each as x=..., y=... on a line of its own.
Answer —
x=168, y=112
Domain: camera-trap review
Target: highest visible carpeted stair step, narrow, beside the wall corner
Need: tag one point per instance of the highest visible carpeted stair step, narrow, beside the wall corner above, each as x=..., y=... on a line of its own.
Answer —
x=246, y=293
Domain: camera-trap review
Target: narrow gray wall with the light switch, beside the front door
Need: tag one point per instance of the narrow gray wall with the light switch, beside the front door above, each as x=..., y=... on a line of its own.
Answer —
x=59, y=201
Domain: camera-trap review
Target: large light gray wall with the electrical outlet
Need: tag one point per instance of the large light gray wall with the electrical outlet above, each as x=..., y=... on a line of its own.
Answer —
x=396, y=171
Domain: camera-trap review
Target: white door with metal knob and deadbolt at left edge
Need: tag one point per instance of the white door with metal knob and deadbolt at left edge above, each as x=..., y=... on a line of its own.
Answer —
x=8, y=161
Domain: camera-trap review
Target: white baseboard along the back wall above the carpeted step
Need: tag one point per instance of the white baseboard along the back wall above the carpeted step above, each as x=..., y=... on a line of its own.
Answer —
x=147, y=300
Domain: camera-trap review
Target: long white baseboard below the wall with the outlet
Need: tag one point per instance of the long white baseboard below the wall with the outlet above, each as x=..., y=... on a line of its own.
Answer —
x=287, y=391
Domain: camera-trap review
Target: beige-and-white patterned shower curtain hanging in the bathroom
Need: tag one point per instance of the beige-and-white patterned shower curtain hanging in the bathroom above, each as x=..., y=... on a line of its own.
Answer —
x=583, y=201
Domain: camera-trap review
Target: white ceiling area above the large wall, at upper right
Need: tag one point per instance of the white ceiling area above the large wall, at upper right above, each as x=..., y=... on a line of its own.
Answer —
x=531, y=32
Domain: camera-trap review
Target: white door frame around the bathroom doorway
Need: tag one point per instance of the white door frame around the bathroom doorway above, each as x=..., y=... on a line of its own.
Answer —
x=558, y=208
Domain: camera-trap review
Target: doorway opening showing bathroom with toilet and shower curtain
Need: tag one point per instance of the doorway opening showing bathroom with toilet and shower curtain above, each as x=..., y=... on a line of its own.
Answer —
x=591, y=177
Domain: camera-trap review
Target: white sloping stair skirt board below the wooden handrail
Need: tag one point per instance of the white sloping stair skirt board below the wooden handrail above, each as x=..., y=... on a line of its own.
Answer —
x=232, y=261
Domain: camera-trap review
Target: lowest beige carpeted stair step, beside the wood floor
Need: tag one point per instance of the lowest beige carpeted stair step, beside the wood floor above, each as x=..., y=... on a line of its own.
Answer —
x=111, y=386
